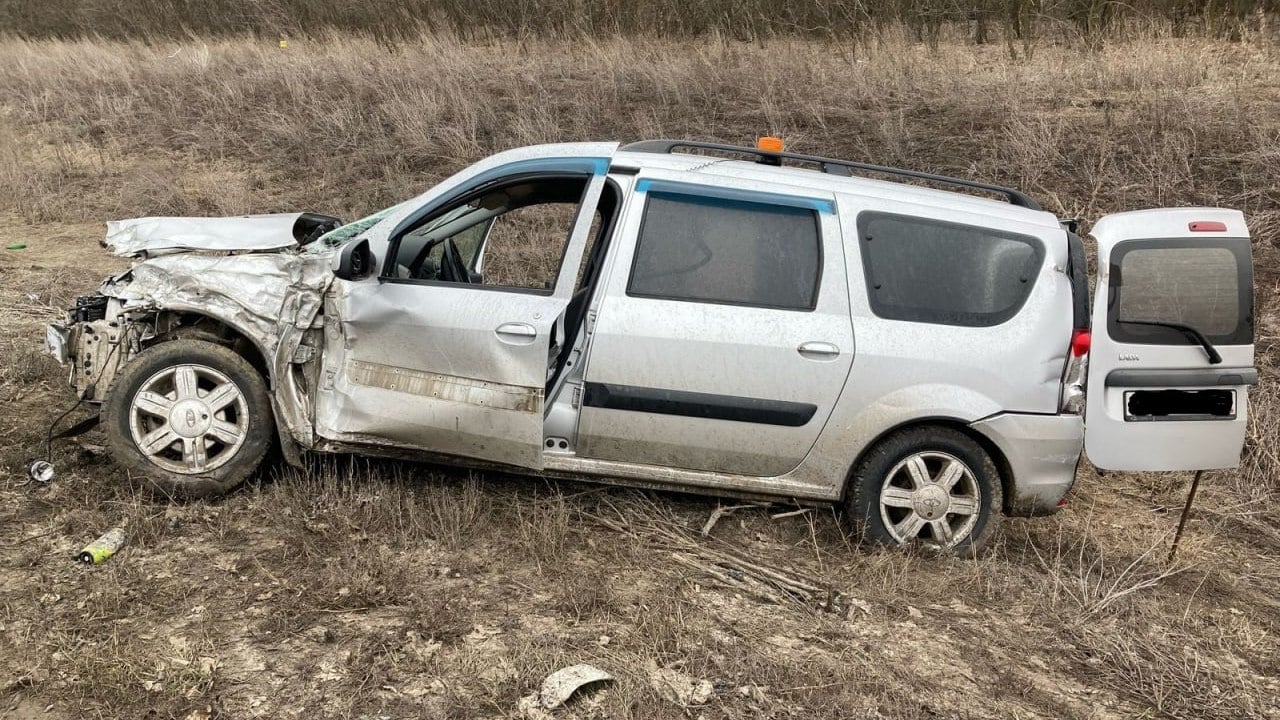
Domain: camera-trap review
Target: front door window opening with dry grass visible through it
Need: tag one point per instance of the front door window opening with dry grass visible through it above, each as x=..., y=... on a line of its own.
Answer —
x=511, y=235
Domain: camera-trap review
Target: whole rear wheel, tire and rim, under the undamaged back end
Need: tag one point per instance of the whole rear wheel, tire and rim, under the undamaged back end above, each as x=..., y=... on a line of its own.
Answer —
x=890, y=505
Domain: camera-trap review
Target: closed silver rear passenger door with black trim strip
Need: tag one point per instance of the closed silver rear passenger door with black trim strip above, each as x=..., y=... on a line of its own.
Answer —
x=724, y=336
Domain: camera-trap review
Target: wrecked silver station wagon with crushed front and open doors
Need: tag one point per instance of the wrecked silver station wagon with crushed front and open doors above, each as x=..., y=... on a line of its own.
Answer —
x=685, y=316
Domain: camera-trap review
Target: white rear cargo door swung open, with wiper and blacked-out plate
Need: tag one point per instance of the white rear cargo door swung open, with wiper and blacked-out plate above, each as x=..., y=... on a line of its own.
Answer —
x=1173, y=341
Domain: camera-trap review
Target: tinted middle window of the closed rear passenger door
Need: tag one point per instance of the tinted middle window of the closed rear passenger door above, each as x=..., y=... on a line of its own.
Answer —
x=728, y=252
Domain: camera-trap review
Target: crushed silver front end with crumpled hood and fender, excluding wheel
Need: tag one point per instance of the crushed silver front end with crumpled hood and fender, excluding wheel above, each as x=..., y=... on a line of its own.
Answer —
x=235, y=282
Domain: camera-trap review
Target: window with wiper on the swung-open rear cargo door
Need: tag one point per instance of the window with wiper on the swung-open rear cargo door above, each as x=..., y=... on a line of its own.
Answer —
x=1203, y=284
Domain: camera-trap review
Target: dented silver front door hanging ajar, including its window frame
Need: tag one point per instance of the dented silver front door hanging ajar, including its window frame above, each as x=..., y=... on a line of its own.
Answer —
x=456, y=362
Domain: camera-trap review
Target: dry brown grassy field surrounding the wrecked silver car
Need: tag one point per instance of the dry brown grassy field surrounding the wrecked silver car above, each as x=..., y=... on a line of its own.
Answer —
x=390, y=590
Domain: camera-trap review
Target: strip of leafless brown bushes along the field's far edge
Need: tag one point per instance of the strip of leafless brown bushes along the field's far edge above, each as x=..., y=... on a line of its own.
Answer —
x=981, y=20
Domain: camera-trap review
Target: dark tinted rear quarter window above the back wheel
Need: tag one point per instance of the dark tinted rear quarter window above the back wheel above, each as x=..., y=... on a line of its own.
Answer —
x=935, y=272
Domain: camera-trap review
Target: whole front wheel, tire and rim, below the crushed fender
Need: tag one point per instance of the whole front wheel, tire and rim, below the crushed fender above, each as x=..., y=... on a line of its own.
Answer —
x=199, y=397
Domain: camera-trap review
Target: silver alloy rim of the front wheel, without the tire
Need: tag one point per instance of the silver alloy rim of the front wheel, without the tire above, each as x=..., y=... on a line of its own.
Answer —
x=189, y=420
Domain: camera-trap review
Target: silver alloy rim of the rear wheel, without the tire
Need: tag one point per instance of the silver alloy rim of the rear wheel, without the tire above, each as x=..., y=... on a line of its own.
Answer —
x=931, y=498
